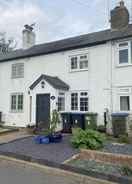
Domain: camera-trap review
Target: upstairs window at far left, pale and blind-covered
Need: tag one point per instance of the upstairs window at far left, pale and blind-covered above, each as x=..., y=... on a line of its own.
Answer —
x=18, y=70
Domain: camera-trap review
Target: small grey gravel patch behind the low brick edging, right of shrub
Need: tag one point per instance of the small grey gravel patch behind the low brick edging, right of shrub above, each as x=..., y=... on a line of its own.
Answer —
x=118, y=148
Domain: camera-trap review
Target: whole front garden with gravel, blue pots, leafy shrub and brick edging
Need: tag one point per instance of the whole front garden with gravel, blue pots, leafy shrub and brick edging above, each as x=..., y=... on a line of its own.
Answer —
x=90, y=150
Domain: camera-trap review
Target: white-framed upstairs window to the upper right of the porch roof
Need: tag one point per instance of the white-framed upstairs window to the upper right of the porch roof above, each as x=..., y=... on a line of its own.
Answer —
x=79, y=62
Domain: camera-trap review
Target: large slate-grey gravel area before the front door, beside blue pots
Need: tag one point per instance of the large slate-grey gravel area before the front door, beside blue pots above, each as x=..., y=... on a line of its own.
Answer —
x=58, y=152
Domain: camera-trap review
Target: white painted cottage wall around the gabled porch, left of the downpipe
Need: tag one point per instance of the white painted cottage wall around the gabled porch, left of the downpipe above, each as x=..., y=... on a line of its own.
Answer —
x=96, y=80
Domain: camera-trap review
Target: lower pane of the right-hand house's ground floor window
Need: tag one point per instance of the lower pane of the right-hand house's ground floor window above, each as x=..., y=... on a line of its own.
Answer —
x=124, y=103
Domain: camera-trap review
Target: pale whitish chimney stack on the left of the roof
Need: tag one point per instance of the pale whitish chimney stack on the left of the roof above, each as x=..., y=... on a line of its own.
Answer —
x=29, y=36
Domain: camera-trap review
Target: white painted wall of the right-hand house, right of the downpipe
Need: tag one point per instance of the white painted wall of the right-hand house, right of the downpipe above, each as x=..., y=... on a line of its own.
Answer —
x=121, y=79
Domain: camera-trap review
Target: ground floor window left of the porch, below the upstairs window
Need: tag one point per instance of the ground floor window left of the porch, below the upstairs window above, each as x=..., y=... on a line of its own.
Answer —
x=17, y=102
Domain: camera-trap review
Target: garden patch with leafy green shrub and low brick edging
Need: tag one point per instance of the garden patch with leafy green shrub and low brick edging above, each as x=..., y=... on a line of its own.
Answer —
x=104, y=154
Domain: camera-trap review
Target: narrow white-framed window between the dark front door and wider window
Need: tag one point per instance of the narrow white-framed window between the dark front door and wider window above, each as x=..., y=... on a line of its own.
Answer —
x=61, y=102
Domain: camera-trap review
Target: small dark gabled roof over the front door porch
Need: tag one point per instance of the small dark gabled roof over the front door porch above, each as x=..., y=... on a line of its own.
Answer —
x=53, y=81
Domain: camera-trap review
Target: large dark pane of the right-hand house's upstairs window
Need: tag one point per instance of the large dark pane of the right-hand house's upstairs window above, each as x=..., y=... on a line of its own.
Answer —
x=123, y=56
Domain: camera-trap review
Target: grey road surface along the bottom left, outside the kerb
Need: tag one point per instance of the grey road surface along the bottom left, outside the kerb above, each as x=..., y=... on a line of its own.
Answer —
x=17, y=173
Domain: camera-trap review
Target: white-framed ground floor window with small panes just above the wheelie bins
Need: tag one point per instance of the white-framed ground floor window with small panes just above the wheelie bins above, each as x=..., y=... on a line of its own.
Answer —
x=79, y=101
